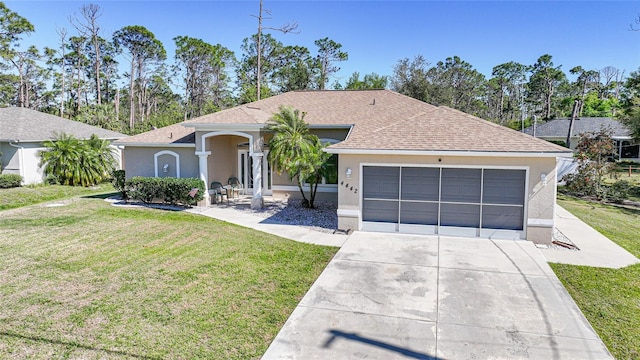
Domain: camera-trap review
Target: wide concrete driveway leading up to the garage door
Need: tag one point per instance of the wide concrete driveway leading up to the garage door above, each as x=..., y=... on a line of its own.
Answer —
x=387, y=296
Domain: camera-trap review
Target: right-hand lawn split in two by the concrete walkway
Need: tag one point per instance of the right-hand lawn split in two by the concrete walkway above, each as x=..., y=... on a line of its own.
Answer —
x=609, y=298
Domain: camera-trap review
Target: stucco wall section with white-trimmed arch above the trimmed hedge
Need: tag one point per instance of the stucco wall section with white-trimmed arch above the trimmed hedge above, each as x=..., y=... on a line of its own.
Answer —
x=139, y=161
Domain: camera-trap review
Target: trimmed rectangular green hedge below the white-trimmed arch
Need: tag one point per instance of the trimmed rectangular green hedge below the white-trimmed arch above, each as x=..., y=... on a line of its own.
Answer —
x=169, y=190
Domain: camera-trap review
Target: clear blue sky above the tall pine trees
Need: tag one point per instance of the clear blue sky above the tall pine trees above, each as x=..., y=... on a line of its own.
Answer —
x=377, y=34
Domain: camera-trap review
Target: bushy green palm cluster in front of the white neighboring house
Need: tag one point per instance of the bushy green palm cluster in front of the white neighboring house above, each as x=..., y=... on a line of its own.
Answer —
x=71, y=161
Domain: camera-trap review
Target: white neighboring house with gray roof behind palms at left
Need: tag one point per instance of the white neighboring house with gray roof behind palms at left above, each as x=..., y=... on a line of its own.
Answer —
x=22, y=133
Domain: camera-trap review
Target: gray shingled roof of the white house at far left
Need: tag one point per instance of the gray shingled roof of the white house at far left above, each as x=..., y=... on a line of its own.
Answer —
x=28, y=125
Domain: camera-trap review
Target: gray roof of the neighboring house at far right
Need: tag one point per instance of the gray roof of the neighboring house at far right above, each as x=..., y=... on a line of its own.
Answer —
x=559, y=128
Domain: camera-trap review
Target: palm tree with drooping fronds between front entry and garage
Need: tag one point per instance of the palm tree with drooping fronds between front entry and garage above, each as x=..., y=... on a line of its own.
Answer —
x=296, y=151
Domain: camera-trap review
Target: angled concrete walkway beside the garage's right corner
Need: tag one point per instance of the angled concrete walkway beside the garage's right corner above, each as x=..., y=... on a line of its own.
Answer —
x=595, y=249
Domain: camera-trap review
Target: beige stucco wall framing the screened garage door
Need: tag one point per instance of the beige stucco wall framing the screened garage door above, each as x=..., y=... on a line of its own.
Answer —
x=540, y=196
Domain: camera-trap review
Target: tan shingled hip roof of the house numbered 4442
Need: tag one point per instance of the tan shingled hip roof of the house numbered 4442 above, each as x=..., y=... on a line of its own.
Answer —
x=380, y=120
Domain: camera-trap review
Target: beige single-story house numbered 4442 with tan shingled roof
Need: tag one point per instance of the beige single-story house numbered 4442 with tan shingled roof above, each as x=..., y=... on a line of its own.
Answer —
x=402, y=165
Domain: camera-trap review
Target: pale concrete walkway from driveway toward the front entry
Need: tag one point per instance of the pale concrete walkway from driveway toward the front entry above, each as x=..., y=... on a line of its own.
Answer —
x=292, y=232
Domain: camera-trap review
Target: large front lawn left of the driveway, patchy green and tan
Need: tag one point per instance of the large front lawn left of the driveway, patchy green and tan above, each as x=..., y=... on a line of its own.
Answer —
x=89, y=280
